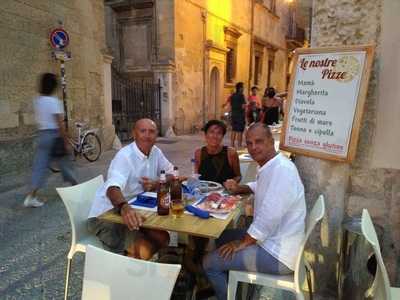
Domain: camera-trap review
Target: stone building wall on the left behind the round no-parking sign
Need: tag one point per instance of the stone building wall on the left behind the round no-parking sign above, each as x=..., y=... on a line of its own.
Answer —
x=25, y=53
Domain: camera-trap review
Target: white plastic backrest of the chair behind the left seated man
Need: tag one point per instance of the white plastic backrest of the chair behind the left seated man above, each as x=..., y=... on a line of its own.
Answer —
x=78, y=201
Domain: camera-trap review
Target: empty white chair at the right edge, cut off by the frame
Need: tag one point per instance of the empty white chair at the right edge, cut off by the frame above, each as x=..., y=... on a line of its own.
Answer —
x=380, y=289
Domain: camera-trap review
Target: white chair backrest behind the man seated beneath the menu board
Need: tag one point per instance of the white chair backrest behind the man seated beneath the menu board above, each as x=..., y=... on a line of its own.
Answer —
x=316, y=214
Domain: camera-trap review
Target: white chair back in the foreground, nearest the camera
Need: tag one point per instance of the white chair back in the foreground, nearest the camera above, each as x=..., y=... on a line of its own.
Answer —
x=110, y=276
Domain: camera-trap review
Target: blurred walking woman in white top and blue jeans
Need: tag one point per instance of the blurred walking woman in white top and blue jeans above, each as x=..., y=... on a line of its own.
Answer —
x=52, y=138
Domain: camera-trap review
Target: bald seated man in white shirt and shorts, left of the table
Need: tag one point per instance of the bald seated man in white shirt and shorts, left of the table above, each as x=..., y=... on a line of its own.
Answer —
x=134, y=168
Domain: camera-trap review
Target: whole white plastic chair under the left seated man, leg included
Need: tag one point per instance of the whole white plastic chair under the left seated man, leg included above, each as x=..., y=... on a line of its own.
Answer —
x=78, y=201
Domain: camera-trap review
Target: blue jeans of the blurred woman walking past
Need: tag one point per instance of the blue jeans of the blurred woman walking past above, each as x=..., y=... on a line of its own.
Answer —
x=43, y=157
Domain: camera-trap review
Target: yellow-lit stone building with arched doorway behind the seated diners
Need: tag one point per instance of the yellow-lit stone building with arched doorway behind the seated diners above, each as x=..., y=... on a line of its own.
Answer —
x=199, y=49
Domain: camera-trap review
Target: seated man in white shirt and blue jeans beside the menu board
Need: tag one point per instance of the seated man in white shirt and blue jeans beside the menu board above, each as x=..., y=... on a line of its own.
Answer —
x=269, y=245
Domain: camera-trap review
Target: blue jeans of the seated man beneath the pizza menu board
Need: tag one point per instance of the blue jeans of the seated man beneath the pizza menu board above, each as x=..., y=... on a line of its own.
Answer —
x=253, y=258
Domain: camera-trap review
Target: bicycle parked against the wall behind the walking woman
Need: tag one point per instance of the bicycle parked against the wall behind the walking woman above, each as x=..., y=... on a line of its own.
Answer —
x=87, y=144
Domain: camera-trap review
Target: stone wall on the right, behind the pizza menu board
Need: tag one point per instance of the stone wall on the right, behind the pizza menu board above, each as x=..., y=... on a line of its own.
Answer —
x=372, y=180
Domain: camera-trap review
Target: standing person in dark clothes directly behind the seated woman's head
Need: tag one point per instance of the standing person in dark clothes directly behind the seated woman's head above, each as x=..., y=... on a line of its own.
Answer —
x=238, y=108
